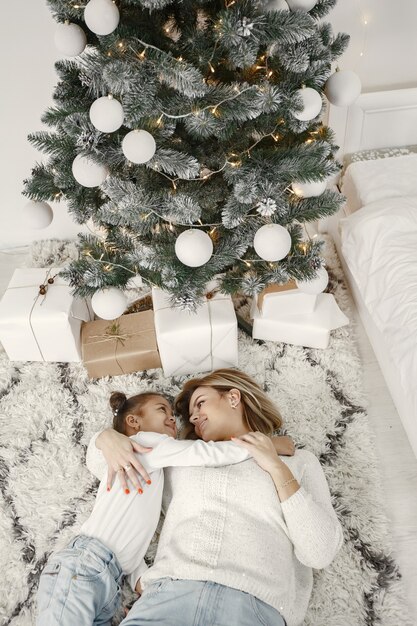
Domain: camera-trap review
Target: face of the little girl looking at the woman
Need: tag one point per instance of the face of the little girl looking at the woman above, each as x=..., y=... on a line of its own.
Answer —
x=155, y=416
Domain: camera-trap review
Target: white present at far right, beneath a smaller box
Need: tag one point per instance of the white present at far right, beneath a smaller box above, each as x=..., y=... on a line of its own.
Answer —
x=311, y=330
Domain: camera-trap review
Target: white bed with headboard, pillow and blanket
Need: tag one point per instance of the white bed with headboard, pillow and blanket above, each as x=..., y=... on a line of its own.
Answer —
x=375, y=233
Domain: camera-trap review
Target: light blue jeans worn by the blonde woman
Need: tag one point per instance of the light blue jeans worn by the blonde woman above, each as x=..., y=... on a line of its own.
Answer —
x=169, y=602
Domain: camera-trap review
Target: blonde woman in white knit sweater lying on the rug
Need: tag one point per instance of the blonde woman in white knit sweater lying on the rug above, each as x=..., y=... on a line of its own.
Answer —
x=239, y=543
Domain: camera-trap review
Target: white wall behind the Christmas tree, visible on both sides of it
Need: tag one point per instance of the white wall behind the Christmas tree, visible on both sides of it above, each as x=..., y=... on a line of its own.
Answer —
x=27, y=54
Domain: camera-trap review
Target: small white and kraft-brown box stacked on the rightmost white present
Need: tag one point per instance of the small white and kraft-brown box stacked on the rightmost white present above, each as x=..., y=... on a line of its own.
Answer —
x=277, y=300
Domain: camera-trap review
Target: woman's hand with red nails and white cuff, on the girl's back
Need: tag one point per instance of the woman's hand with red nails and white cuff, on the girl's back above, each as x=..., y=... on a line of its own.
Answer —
x=117, y=451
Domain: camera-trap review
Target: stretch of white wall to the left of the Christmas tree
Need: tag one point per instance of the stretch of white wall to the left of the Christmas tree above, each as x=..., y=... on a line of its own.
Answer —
x=27, y=54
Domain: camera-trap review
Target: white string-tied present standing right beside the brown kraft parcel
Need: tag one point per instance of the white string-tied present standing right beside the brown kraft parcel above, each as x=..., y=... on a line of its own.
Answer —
x=195, y=342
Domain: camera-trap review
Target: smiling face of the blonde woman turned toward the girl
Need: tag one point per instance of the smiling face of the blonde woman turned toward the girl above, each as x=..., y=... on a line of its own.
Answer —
x=213, y=416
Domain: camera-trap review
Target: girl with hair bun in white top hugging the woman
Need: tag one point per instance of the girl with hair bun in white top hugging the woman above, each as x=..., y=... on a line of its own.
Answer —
x=81, y=584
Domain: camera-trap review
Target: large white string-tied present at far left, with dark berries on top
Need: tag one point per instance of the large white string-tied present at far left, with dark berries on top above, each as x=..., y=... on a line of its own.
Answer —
x=41, y=327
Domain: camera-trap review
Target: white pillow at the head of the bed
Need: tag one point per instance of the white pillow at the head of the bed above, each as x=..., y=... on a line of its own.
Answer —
x=368, y=181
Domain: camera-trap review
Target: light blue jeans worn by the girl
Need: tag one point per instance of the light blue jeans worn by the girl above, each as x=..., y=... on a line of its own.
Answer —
x=79, y=586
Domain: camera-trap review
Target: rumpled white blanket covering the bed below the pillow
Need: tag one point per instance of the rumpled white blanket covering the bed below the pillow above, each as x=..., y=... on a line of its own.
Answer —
x=379, y=243
